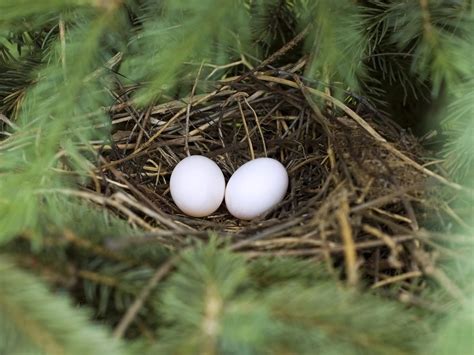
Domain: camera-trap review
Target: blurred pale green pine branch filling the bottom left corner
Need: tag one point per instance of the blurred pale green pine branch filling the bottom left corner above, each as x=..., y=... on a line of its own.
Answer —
x=34, y=321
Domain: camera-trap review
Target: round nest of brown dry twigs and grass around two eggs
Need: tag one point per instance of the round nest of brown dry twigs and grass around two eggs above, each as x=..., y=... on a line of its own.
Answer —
x=357, y=184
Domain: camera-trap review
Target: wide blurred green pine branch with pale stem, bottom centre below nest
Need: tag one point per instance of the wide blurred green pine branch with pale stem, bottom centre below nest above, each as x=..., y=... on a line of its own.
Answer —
x=213, y=306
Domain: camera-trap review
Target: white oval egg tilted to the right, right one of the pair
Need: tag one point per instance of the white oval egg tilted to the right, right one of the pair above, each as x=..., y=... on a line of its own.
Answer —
x=255, y=188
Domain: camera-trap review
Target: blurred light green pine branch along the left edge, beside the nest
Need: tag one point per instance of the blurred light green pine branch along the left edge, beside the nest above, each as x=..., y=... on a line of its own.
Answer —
x=61, y=118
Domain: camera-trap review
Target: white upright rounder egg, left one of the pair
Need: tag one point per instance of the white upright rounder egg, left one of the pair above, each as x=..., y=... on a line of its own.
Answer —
x=197, y=186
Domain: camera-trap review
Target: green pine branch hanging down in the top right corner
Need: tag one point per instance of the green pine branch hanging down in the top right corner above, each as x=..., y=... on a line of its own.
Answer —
x=438, y=35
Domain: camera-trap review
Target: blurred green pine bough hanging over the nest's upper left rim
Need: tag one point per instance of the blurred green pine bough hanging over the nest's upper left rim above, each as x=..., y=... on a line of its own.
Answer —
x=186, y=32
